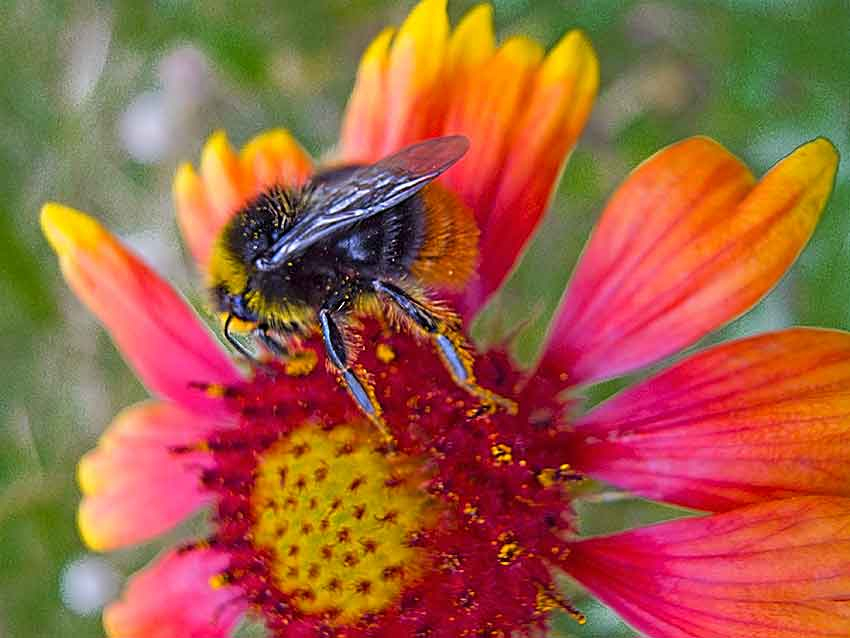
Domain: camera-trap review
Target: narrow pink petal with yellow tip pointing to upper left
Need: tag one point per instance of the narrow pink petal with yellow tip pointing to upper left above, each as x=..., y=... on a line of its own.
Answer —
x=156, y=331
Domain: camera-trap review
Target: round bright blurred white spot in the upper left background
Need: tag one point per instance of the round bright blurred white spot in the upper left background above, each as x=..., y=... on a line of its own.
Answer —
x=145, y=129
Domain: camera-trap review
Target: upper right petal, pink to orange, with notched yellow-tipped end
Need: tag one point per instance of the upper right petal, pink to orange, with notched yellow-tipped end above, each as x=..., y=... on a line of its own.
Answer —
x=686, y=244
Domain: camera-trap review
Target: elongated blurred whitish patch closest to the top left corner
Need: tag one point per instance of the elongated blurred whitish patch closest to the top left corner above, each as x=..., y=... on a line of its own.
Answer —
x=87, y=43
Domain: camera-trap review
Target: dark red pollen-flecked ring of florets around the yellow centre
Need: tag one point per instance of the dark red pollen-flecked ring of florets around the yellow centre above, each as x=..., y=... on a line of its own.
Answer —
x=498, y=479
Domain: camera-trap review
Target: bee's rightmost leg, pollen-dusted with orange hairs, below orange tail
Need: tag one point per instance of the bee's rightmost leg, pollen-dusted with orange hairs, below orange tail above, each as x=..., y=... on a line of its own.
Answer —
x=448, y=341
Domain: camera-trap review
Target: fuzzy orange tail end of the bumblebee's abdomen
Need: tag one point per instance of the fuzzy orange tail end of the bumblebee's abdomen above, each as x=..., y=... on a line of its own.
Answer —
x=448, y=253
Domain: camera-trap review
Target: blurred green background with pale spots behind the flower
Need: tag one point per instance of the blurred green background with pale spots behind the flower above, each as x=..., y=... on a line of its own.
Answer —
x=99, y=101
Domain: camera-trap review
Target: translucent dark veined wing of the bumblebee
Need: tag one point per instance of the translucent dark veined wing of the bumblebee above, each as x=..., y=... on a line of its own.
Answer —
x=337, y=203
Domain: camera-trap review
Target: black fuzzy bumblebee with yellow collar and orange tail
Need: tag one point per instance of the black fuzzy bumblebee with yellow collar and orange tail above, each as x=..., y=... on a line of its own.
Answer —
x=354, y=240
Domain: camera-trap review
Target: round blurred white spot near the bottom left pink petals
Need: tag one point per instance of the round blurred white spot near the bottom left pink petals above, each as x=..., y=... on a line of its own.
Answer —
x=87, y=584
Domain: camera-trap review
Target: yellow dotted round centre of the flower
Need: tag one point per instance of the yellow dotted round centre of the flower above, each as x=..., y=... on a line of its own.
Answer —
x=339, y=518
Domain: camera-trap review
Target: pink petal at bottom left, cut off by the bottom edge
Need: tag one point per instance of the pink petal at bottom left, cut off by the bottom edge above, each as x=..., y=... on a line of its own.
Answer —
x=174, y=598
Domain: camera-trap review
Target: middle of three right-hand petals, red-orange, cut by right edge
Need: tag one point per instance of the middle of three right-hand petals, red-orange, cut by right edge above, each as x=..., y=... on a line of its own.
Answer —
x=748, y=421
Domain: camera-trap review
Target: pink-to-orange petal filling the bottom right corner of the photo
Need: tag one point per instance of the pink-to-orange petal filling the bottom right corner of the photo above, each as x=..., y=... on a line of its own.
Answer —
x=773, y=570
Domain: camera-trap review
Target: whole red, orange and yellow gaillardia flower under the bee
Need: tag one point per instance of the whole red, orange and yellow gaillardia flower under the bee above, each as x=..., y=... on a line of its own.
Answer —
x=320, y=530
